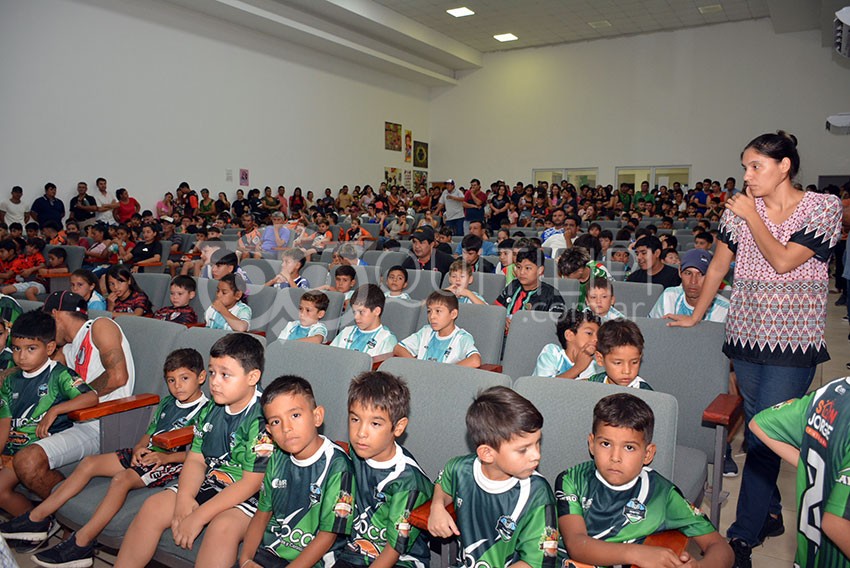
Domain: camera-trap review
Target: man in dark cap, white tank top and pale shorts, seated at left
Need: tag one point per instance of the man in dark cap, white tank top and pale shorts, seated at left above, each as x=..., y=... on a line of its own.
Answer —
x=100, y=353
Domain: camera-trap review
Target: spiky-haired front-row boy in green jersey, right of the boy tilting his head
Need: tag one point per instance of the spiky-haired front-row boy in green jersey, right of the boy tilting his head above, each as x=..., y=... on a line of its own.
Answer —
x=390, y=484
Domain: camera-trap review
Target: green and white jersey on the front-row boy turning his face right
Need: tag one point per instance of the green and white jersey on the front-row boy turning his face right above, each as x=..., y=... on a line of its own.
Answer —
x=501, y=522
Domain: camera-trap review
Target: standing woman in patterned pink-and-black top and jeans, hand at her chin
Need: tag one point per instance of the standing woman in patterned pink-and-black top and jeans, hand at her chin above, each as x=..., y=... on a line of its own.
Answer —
x=781, y=240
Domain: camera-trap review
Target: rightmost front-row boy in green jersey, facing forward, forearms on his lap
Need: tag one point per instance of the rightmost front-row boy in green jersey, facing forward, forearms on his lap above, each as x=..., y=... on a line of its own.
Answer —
x=619, y=500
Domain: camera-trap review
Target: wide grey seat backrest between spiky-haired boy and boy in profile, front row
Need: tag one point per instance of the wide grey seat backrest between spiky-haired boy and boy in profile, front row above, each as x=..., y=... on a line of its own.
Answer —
x=437, y=430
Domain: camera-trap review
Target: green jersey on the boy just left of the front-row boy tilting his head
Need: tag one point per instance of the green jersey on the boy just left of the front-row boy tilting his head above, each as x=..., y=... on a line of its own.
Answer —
x=232, y=442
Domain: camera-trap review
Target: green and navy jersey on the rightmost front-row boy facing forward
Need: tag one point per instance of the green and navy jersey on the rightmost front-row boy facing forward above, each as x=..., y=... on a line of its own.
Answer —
x=627, y=513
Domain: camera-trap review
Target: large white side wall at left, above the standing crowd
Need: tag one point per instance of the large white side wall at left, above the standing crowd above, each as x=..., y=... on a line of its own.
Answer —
x=148, y=94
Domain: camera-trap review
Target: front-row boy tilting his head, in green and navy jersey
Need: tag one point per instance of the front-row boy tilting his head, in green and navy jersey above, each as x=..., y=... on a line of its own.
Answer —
x=306, y=503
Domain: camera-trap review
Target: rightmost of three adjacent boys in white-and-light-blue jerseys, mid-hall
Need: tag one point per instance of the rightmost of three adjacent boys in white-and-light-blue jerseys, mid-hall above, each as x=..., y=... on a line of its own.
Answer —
x=441, y=340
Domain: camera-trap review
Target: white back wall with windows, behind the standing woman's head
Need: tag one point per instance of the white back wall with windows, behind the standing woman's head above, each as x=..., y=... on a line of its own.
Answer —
x=694, y=96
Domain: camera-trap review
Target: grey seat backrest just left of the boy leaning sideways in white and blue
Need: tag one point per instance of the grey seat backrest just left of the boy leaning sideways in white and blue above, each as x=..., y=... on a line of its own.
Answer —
x=530, y=332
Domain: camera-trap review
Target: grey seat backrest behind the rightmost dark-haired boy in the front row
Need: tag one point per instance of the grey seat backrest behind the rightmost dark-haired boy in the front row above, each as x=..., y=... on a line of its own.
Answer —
x=564, y=442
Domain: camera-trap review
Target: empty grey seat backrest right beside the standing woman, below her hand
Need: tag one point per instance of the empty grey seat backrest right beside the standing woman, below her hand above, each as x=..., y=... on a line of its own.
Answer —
x=689, y=364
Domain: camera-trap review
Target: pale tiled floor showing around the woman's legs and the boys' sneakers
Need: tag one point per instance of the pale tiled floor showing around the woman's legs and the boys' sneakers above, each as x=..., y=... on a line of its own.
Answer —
x=775, y=552
